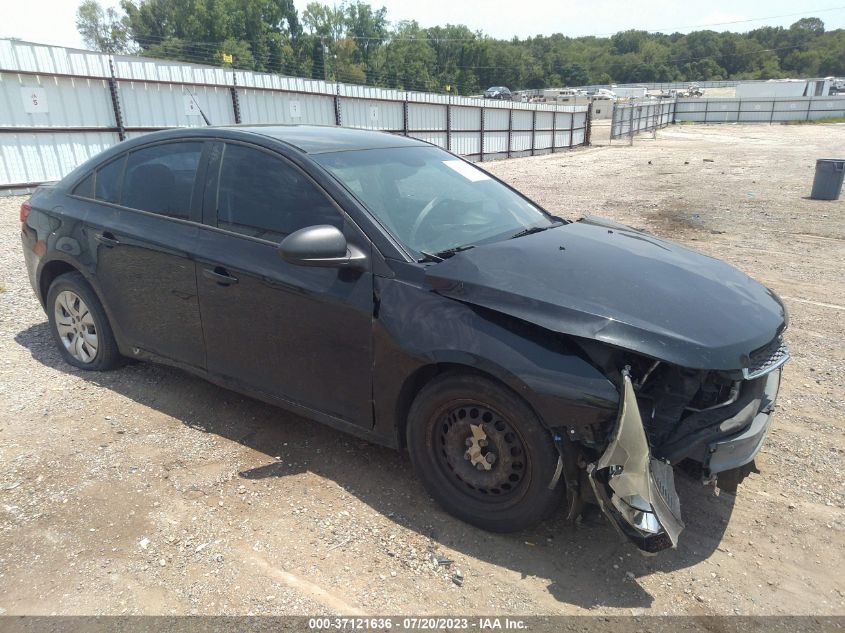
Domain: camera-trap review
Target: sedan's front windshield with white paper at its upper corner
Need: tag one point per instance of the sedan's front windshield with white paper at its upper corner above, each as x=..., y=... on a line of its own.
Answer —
x=431, y=201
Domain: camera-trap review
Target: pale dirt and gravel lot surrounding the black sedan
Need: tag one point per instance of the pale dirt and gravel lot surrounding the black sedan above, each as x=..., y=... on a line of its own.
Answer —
x=146, y=490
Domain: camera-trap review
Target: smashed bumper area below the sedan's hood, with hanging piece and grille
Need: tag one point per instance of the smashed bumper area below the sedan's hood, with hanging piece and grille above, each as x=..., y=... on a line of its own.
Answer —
x=668, y=414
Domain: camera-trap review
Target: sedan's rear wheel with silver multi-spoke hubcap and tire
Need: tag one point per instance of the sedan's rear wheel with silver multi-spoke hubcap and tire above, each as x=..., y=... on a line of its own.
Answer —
x=79, y=324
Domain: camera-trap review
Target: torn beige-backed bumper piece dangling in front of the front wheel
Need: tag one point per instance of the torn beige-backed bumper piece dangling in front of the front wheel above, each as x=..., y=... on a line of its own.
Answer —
x=635, y=490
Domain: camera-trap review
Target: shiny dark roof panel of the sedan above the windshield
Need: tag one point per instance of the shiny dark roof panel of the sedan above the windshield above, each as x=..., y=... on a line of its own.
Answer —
x=319, y=139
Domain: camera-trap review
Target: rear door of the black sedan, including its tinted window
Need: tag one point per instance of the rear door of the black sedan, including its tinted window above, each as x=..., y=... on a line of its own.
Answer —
x=140, y=227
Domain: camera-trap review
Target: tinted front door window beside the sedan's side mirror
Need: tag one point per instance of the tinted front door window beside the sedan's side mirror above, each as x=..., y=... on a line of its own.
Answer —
x=263, y=196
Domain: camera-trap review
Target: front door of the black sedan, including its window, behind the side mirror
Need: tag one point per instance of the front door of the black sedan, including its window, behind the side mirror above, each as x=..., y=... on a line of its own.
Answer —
x=298, y=333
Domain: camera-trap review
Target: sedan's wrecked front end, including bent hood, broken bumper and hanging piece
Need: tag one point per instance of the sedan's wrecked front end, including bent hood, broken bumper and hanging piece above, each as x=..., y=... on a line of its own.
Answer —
x=692, y=346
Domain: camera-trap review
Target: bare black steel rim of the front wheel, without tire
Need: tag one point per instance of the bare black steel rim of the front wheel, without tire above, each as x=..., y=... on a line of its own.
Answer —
x=480, y=452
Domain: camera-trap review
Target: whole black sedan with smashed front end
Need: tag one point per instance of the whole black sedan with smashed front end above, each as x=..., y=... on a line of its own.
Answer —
x=392, y=290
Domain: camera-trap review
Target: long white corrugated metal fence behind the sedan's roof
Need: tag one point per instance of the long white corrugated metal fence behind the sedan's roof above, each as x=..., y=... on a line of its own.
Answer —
x=60, y=106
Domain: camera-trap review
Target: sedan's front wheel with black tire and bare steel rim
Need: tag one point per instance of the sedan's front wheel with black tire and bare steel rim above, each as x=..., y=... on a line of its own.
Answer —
x=481, y=452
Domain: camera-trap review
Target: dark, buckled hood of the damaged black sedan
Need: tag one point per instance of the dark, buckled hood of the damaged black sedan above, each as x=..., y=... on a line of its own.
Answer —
x=604, y=281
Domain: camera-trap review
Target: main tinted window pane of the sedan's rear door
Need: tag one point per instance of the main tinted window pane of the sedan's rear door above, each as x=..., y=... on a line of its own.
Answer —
x=160, y=178
